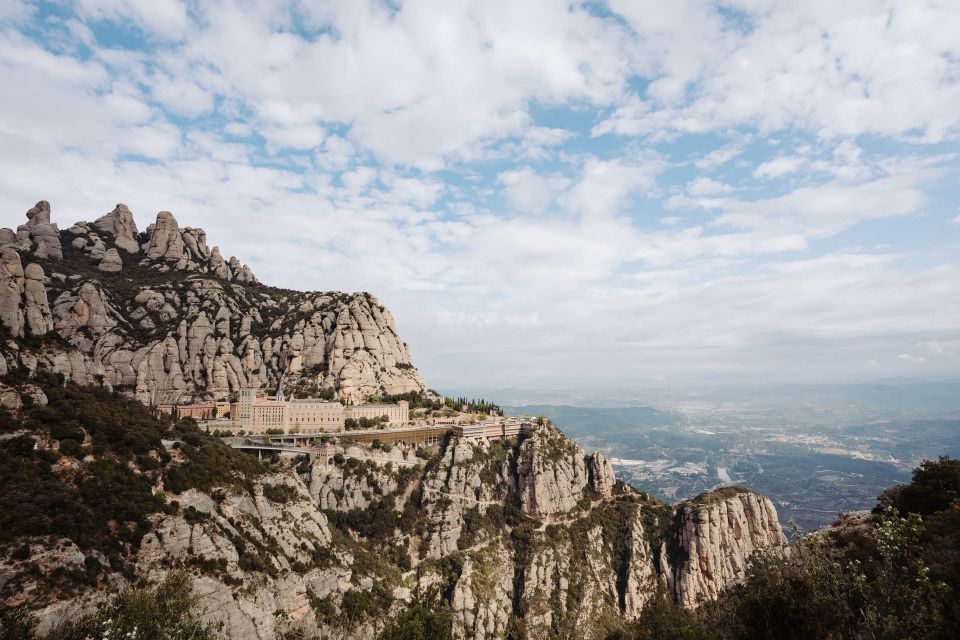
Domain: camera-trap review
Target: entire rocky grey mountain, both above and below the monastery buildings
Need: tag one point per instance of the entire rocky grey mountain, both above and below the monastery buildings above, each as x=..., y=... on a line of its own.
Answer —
x=530, y=537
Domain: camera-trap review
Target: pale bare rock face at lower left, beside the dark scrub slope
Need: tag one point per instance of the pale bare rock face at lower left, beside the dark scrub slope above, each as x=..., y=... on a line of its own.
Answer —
x=291, y=532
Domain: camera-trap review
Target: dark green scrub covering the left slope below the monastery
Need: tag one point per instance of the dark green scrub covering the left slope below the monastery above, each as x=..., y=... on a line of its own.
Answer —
x=86, y=466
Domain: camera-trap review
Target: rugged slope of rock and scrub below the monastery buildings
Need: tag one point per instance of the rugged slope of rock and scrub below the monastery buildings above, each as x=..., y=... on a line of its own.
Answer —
x=526, y=538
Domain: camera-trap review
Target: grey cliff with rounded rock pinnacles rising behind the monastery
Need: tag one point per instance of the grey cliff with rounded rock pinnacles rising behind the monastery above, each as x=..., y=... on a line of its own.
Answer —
x=164, y=316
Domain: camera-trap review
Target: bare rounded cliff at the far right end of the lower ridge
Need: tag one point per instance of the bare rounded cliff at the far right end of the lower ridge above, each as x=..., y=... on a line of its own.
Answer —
x=718, y=532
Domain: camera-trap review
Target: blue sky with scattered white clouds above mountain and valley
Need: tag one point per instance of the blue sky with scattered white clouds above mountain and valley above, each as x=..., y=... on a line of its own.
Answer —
x=546, y=194
